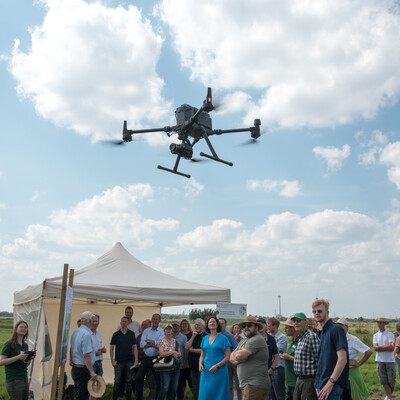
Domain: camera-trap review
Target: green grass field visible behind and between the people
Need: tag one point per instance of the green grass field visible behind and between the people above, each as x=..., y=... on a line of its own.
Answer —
x=363, y=330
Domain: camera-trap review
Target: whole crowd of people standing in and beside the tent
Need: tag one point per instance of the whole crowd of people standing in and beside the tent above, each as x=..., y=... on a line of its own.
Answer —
x=316, y=359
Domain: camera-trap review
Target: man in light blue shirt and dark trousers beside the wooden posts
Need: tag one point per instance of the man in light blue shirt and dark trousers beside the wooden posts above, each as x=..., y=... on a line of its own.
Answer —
x=82, y=357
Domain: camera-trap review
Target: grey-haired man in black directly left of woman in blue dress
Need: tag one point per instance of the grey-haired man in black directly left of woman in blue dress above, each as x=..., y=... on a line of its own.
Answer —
x=192, y=346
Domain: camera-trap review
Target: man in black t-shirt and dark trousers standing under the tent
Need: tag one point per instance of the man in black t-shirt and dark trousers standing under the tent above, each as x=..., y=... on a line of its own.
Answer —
x=123, y=344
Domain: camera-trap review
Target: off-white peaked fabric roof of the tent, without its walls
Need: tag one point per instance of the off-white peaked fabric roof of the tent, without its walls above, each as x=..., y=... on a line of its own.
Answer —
x=118, y=276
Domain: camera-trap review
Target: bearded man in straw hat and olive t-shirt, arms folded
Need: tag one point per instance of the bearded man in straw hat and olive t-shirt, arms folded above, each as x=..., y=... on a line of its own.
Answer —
x=251, y=359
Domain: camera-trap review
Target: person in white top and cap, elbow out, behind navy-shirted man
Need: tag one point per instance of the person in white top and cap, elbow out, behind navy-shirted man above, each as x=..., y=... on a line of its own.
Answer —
x=358, y=390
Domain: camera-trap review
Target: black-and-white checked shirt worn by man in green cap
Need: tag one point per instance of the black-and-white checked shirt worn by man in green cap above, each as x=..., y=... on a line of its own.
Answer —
x=306, y=354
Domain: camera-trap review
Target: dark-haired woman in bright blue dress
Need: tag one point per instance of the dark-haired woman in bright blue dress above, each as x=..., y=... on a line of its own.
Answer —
x=215, y=353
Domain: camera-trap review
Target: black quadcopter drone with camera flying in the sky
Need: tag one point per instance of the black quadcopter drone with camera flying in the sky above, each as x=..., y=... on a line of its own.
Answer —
x=195, y=123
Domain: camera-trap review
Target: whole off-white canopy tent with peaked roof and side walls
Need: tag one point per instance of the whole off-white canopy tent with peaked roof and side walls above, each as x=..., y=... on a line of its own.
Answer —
x=104, y=287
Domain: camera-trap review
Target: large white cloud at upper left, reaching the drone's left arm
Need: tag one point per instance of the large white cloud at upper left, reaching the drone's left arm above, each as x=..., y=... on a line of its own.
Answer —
x=90, y=67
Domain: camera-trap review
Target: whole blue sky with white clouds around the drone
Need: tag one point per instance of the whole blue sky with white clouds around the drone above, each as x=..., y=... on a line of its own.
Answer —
x=313, y=210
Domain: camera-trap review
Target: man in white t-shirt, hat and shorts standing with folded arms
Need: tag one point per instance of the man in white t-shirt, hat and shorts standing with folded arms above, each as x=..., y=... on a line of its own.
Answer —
x=384, y=346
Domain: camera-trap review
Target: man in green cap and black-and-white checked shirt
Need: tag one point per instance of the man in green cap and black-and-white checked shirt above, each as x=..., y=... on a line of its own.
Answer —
x=305, y=359
